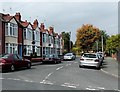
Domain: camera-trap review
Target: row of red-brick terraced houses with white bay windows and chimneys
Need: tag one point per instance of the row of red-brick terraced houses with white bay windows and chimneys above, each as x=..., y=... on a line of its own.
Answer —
x=24, y=38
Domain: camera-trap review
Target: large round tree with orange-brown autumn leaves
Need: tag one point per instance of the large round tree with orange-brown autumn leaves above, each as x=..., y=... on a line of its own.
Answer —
x=86, y=36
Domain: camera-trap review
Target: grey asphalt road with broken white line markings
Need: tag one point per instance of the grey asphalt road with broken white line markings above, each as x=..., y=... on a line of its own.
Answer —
x=64, y=76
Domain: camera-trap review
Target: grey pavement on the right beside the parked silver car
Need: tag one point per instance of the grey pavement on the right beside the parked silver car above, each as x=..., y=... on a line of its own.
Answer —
x=111, y=66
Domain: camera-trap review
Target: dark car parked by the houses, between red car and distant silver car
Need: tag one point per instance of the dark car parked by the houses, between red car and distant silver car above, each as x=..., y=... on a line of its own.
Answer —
x=51, y=59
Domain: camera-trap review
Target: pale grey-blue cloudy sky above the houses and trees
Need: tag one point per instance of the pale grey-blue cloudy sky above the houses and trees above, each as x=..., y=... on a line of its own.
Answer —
x=67, y=15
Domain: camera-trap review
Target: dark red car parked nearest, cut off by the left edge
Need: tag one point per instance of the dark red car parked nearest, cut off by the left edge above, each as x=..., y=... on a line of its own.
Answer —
x=13, y=62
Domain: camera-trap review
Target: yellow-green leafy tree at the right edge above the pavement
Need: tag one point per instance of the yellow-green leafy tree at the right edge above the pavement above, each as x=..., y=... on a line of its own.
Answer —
x=113, y=43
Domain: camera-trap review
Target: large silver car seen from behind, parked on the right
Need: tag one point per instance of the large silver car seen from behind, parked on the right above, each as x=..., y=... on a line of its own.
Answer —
x=90, y=59
